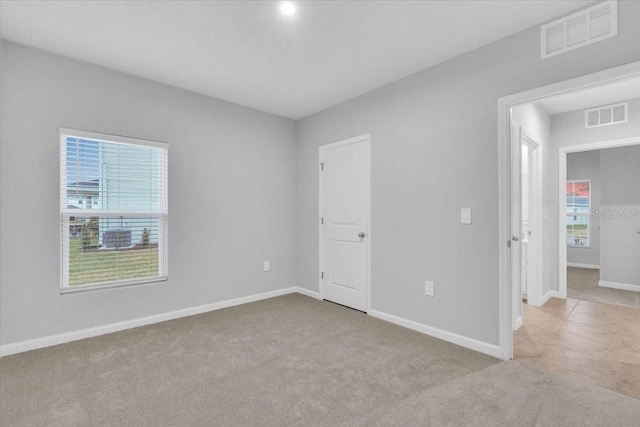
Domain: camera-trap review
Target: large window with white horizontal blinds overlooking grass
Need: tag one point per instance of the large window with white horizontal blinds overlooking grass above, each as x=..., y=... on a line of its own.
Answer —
x=113, y=206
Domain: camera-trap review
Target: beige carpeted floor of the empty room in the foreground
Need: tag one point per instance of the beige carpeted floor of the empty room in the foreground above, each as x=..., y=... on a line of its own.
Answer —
x=290, y=360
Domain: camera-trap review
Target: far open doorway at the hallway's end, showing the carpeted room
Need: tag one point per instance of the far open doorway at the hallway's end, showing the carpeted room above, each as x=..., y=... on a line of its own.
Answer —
x=602, y=246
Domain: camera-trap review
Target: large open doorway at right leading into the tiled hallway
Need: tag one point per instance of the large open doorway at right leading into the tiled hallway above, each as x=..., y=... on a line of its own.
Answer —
x=572, y=336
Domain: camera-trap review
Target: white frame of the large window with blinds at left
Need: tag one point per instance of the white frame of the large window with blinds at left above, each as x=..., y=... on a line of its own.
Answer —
x=66, y=213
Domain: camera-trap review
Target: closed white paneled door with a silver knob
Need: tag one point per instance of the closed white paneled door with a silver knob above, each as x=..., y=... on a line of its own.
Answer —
x=344, y=222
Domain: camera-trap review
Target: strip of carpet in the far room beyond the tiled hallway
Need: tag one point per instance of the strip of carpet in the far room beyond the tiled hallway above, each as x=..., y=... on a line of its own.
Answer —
x=582, y=283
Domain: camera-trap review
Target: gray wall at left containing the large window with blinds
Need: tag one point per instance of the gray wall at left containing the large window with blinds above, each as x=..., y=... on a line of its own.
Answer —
x=231, y=193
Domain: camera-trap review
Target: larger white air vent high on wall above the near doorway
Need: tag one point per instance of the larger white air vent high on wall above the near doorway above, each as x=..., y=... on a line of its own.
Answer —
x=588, y=26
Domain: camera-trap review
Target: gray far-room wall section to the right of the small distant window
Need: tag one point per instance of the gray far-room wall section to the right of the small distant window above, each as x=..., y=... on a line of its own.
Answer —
x=620, y=251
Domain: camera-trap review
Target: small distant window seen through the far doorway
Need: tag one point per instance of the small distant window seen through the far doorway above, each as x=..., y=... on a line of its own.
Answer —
x=578, y=212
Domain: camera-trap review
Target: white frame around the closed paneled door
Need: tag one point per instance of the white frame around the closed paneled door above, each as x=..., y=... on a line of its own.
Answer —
x=366, y=139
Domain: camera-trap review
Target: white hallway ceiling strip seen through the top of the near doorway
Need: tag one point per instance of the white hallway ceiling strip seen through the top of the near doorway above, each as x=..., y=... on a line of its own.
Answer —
x=593, y=97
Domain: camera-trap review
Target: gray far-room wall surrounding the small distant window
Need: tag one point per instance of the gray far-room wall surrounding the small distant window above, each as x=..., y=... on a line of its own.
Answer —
x=586, y=165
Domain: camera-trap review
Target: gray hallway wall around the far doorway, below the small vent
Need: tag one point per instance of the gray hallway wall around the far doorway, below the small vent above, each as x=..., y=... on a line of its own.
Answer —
x=568, y=129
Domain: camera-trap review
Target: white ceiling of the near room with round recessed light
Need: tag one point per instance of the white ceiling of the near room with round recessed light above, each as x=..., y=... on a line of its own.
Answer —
x=248, y=53
